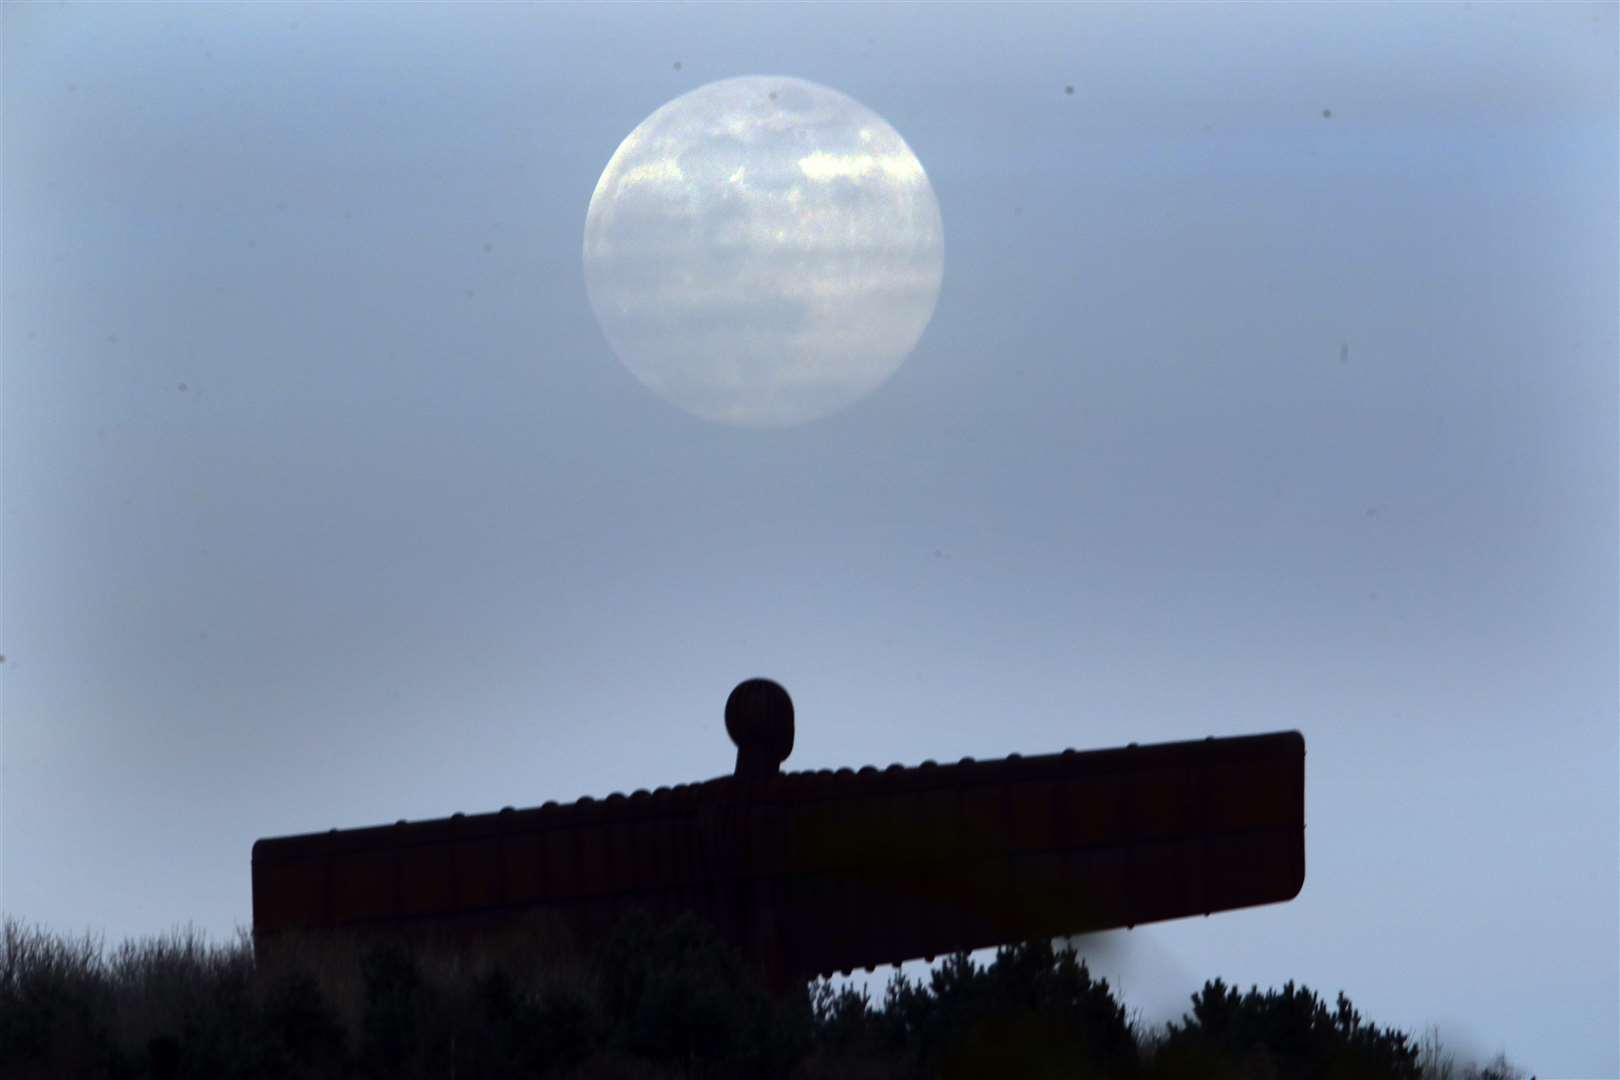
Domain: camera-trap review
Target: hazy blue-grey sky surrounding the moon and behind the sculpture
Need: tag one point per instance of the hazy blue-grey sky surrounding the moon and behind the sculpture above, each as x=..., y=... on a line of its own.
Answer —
x=1273, y=386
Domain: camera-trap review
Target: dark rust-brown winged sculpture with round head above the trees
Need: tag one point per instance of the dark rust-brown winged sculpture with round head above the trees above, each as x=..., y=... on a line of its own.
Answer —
x=825, y=872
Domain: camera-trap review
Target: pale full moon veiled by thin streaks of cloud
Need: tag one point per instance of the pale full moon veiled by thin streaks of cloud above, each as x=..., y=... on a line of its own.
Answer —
x=764, y=252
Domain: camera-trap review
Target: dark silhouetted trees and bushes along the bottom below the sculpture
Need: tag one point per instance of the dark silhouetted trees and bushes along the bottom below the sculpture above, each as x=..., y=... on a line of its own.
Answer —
x=650, y=1001
